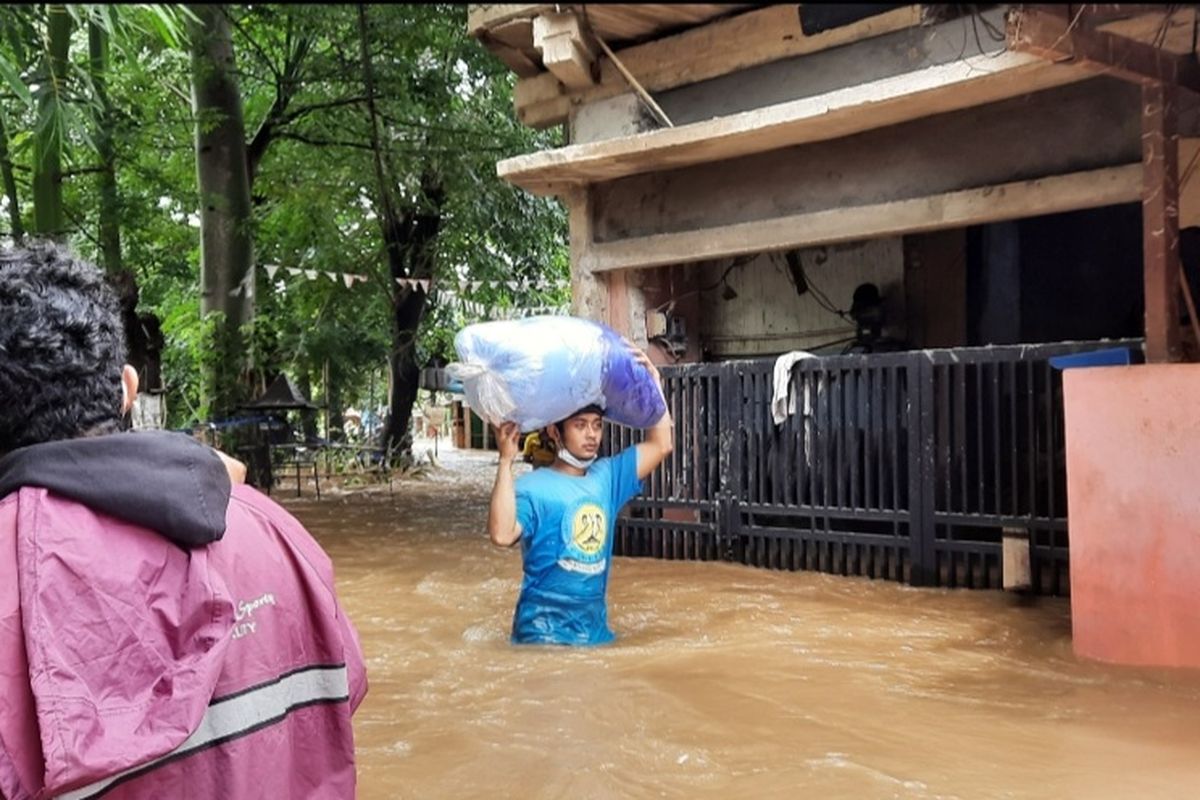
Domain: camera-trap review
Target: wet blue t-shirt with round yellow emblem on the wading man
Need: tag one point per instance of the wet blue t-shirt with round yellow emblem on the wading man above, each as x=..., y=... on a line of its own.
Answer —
x=567, y=531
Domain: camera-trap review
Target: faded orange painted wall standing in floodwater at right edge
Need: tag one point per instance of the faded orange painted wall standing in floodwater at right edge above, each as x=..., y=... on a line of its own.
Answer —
x=1133, y=483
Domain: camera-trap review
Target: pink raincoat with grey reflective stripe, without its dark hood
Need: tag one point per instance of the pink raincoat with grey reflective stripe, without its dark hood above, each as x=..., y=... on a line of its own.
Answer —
x=134, y=667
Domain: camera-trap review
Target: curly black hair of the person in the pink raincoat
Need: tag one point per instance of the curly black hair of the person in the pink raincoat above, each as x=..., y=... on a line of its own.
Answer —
x=62, y=348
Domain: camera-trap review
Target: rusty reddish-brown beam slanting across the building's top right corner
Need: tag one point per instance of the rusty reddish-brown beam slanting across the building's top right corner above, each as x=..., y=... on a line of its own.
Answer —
x=1049, y=33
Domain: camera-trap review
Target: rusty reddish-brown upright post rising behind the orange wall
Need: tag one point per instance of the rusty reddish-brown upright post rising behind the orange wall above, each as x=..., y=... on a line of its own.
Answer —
x=1161, y=220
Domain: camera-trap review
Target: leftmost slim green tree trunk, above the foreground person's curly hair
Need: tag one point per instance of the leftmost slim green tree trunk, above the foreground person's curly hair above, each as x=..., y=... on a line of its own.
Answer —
x=49, y=218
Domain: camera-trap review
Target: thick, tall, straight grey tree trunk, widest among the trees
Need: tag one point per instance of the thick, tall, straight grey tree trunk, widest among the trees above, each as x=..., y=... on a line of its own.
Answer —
x=226, y=226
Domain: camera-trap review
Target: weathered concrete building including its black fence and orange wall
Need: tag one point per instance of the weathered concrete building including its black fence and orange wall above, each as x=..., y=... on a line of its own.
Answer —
x=739, y=176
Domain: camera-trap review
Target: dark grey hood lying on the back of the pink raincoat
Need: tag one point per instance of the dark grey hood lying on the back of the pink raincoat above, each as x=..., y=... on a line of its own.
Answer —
x=167, y=483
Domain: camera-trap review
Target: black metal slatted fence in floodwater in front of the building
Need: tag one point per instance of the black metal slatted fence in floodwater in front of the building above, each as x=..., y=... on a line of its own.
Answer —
x=903, y=466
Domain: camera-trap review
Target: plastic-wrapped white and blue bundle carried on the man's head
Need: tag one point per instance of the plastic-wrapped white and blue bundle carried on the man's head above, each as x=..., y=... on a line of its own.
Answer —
x=539, y=370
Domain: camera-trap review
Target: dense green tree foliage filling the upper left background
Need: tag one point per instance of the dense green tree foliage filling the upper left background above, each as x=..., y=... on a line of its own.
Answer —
x=445, y=105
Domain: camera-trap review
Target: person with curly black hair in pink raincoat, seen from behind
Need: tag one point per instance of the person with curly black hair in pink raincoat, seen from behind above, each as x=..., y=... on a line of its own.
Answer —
x=166, y=631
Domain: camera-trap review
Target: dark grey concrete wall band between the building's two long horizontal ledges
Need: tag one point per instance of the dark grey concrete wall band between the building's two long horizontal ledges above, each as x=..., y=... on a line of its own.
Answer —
x=1079, y=128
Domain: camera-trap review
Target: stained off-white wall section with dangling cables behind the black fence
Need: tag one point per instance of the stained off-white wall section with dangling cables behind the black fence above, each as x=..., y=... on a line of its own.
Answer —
x=769, y=317
